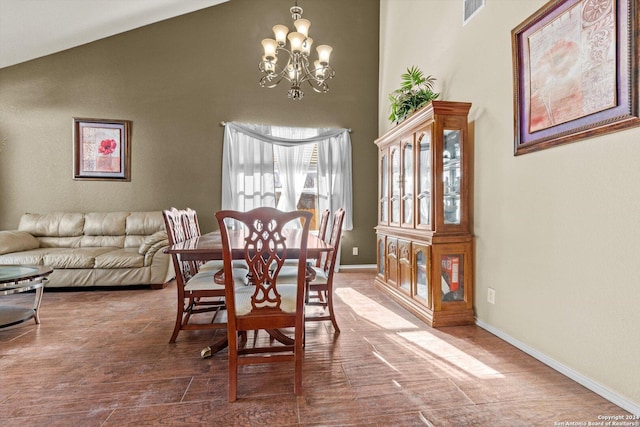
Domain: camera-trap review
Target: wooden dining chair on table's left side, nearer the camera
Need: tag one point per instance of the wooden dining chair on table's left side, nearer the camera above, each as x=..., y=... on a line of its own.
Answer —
x=197, y=291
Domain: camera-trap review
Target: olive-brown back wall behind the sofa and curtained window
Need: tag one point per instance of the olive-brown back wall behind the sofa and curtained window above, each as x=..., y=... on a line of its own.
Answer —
x=177, y=80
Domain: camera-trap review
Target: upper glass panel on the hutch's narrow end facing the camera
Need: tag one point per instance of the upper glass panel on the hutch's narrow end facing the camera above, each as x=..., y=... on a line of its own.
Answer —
x=451, y=176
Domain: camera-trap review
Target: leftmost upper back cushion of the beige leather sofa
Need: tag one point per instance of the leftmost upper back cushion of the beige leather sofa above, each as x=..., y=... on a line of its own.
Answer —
x=52, y=224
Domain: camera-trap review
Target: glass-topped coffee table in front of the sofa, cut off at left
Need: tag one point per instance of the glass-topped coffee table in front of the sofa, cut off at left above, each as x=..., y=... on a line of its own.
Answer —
x=21, y=278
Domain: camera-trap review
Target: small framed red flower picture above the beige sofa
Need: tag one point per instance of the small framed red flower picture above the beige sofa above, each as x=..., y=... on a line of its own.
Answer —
x=101, y=149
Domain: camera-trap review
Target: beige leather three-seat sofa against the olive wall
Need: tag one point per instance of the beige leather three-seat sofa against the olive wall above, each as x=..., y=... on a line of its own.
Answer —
x=92, y=249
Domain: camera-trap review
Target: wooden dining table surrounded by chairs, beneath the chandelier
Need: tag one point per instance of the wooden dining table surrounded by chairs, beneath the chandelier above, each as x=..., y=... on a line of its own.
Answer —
x=208, y=247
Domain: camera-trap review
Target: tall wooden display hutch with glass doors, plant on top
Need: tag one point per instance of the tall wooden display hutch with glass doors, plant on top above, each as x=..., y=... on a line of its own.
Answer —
x=424, y=232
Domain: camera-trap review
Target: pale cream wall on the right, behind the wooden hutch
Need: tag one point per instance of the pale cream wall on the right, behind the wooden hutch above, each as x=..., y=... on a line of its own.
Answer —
x=557, y=231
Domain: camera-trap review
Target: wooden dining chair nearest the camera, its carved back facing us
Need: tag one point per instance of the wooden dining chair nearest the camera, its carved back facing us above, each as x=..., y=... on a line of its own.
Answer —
x=265, y=304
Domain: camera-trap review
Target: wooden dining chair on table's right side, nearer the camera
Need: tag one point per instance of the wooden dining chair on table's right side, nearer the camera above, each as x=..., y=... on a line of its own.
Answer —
x=322, y=281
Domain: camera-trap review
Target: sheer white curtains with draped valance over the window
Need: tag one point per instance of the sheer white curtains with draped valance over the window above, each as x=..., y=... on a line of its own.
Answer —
x=248, y=175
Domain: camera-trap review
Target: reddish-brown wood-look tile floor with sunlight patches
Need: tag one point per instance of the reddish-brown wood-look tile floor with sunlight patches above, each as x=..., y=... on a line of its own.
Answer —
x=102, y=358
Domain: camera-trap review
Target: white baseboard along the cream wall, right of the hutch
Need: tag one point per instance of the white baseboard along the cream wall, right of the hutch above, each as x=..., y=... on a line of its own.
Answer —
x=577, y=377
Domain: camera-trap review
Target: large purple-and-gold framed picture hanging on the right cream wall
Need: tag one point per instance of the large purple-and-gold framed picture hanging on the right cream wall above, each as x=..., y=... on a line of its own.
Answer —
x=575, y=72
